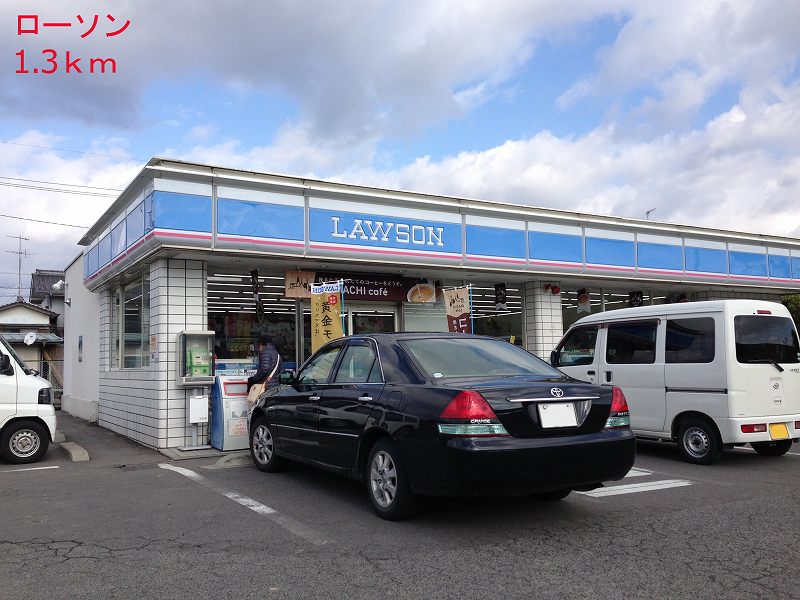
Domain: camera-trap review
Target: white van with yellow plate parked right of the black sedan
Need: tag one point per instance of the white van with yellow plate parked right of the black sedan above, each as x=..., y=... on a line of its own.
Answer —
x=707, y=375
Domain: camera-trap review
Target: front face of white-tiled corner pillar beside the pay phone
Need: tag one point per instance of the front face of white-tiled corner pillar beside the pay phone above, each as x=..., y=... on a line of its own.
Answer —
x=178, y=302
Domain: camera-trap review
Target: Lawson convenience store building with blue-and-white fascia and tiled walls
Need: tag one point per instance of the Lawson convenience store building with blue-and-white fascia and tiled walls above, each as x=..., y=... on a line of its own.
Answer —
x=176, y=252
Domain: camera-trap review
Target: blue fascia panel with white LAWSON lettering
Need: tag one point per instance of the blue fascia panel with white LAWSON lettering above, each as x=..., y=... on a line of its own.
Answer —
x=340, y=227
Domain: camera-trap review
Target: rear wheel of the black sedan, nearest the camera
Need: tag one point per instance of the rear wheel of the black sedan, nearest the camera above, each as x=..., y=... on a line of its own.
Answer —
x=387, y=484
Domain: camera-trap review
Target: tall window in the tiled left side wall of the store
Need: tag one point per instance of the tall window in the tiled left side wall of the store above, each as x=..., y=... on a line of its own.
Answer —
x=130, y=325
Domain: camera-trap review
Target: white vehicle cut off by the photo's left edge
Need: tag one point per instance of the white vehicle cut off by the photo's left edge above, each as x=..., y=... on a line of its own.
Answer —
x=27, y=416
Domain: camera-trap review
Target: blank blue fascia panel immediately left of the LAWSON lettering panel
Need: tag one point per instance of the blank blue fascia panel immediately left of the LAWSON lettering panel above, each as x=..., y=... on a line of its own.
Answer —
x=258, y=219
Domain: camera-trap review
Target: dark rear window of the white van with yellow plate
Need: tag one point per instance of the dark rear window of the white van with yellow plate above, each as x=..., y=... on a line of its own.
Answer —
x=761, y=338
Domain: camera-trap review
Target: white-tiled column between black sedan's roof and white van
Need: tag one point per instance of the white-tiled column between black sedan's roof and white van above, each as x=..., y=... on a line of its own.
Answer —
x=543, y=319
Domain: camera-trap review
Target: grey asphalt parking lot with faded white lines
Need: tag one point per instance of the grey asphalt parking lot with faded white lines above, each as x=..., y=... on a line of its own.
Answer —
x=131, y=524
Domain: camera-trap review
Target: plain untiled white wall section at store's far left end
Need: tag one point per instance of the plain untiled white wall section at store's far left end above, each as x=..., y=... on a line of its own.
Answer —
x=81, y=377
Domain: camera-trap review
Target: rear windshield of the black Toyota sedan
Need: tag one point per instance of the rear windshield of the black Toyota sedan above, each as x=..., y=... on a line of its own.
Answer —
x=474, y=357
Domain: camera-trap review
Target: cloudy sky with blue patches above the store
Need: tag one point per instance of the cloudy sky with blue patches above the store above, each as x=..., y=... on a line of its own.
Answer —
x=608, y=107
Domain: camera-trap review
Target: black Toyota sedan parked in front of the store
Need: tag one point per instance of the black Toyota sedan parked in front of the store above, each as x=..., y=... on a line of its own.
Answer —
x=442, y=414
